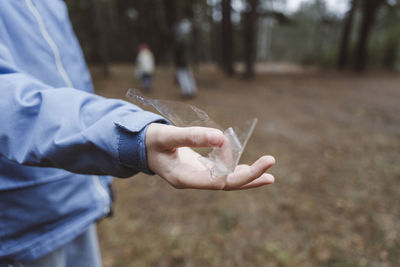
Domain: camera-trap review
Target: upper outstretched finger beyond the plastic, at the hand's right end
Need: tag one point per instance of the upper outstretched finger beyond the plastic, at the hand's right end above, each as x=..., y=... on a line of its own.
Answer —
x=246, y=174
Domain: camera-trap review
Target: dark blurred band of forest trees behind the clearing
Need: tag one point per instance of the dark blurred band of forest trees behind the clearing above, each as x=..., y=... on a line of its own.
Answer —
x=237, y=34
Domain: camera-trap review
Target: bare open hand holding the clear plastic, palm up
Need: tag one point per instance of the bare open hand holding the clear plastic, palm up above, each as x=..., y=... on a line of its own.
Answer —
x=169, y=155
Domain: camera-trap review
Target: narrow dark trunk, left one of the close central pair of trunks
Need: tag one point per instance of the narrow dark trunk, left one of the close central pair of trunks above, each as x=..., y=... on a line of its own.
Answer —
x=227, y=38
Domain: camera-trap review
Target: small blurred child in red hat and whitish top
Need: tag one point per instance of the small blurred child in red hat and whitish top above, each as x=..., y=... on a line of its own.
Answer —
x=145, y=67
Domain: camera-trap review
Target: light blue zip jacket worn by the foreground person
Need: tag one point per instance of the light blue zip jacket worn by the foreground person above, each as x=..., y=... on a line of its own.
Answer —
x=57, y=138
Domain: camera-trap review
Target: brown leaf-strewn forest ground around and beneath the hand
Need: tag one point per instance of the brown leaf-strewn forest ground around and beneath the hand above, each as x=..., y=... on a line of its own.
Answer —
x=336, y=199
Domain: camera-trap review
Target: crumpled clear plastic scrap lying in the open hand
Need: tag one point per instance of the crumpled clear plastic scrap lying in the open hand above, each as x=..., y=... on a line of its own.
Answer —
x=221, y=161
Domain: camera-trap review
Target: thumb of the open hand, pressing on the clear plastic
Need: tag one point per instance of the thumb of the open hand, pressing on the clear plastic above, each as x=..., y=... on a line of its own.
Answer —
x=174, y=137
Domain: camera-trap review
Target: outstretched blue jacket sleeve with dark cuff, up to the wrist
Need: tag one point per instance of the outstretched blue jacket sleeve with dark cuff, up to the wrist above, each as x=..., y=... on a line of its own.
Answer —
x=68, y=128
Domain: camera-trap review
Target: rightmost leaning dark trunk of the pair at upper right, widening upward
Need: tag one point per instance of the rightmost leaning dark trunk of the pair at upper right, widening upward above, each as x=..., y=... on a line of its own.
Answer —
x=369, y=10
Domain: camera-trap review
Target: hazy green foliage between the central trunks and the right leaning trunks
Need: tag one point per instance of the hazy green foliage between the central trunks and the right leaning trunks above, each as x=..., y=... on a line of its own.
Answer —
x=315, y=33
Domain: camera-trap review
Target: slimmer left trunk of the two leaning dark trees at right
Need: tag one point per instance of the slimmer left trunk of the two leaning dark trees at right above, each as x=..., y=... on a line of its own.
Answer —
x=346, y=33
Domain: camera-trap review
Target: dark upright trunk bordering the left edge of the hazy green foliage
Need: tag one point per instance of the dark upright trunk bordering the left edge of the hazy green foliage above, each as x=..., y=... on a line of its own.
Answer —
x=250, y=38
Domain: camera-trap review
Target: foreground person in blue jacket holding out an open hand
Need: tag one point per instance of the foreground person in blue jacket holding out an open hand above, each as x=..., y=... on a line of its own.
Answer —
x=59, y=142
